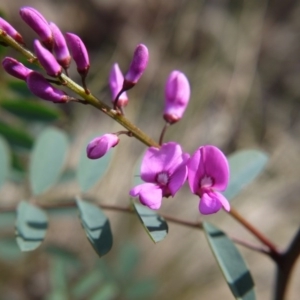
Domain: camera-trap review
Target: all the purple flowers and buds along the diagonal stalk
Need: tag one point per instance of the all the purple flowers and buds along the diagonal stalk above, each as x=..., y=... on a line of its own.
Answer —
x=164, y=169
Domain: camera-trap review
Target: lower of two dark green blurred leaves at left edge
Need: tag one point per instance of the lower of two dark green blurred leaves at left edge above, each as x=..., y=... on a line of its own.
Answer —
x=16, y=137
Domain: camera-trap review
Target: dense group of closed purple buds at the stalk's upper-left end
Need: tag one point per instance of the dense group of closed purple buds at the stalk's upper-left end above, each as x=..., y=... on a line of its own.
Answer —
x=52, y=53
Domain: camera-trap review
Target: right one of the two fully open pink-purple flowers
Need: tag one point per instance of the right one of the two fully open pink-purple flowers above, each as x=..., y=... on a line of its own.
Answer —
x=208, y=173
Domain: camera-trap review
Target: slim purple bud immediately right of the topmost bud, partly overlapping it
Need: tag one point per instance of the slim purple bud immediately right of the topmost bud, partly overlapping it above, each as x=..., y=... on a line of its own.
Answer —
x=60, y=47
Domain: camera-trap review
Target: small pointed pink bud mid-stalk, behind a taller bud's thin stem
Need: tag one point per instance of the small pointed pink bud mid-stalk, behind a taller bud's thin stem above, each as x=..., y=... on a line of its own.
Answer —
x=116, y=80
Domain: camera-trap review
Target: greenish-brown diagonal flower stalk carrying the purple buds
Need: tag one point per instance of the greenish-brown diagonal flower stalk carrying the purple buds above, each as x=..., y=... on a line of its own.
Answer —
x=90, y=99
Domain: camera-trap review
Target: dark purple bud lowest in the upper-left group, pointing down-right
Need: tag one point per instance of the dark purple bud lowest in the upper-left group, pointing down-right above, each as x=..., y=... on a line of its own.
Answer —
x=41, y=88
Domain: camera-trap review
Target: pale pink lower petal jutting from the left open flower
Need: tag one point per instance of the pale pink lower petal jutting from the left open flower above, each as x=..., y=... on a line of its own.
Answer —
x=149, y=194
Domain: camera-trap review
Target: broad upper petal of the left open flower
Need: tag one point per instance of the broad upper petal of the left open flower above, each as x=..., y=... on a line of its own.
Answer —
x=158, y=160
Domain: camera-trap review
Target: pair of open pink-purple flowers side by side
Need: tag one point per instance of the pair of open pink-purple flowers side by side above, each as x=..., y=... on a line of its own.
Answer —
x=166, y=169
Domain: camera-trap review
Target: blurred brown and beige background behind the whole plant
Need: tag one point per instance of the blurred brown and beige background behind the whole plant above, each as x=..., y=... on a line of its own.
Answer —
x=242, y=59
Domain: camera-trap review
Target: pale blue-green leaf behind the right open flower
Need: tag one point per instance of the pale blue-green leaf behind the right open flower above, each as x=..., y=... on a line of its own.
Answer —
x=244, y=166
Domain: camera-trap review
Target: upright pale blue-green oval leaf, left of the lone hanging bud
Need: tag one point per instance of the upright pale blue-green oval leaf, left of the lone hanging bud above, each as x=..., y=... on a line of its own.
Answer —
x=47, y=159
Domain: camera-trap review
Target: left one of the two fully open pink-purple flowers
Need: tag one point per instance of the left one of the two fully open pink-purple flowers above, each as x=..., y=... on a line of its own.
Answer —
x=164, y=170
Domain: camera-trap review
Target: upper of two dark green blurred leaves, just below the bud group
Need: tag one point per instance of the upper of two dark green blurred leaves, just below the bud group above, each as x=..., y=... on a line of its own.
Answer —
x=31, y=110
